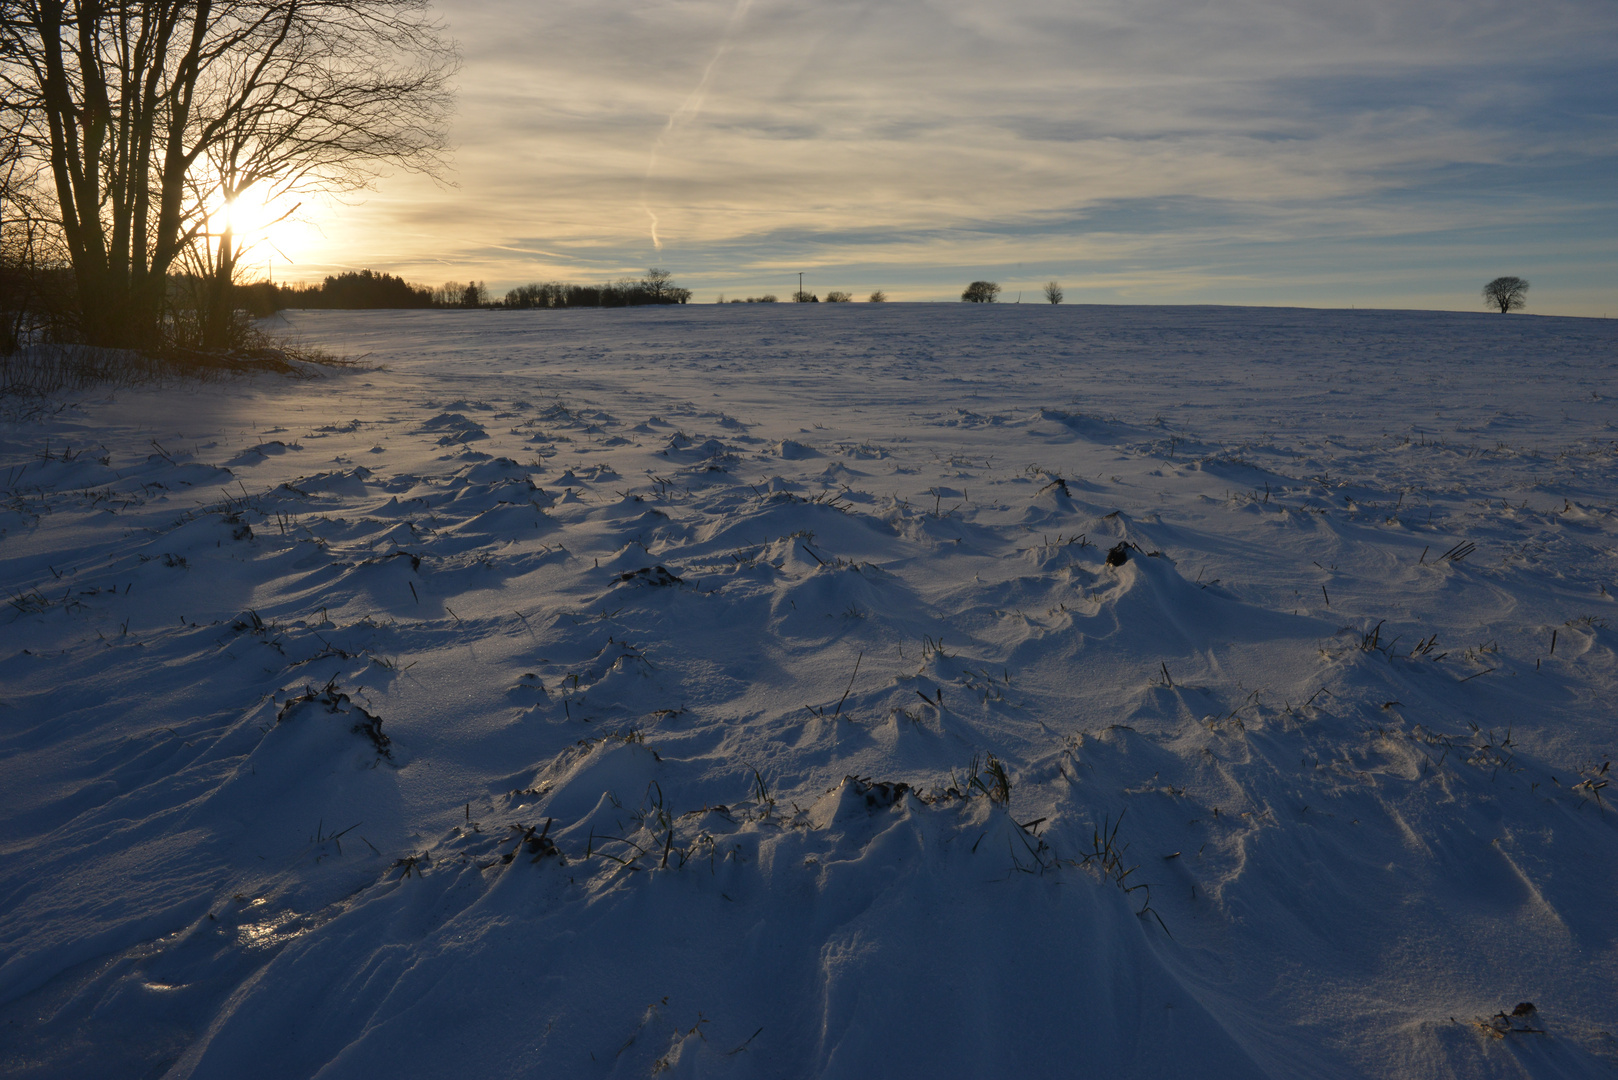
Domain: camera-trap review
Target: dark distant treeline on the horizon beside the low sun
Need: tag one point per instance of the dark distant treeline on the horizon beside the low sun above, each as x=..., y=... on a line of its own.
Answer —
x=368, y=289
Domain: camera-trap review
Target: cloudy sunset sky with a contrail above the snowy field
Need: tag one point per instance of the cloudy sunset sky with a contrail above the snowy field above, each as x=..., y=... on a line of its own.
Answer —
x=1294, y=153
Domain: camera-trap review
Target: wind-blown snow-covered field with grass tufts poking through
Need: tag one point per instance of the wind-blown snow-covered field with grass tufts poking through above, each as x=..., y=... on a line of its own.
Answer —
x=614, y=694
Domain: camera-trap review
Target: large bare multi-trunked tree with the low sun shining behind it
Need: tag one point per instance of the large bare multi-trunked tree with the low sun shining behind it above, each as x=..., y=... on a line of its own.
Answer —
x=151, y=117
